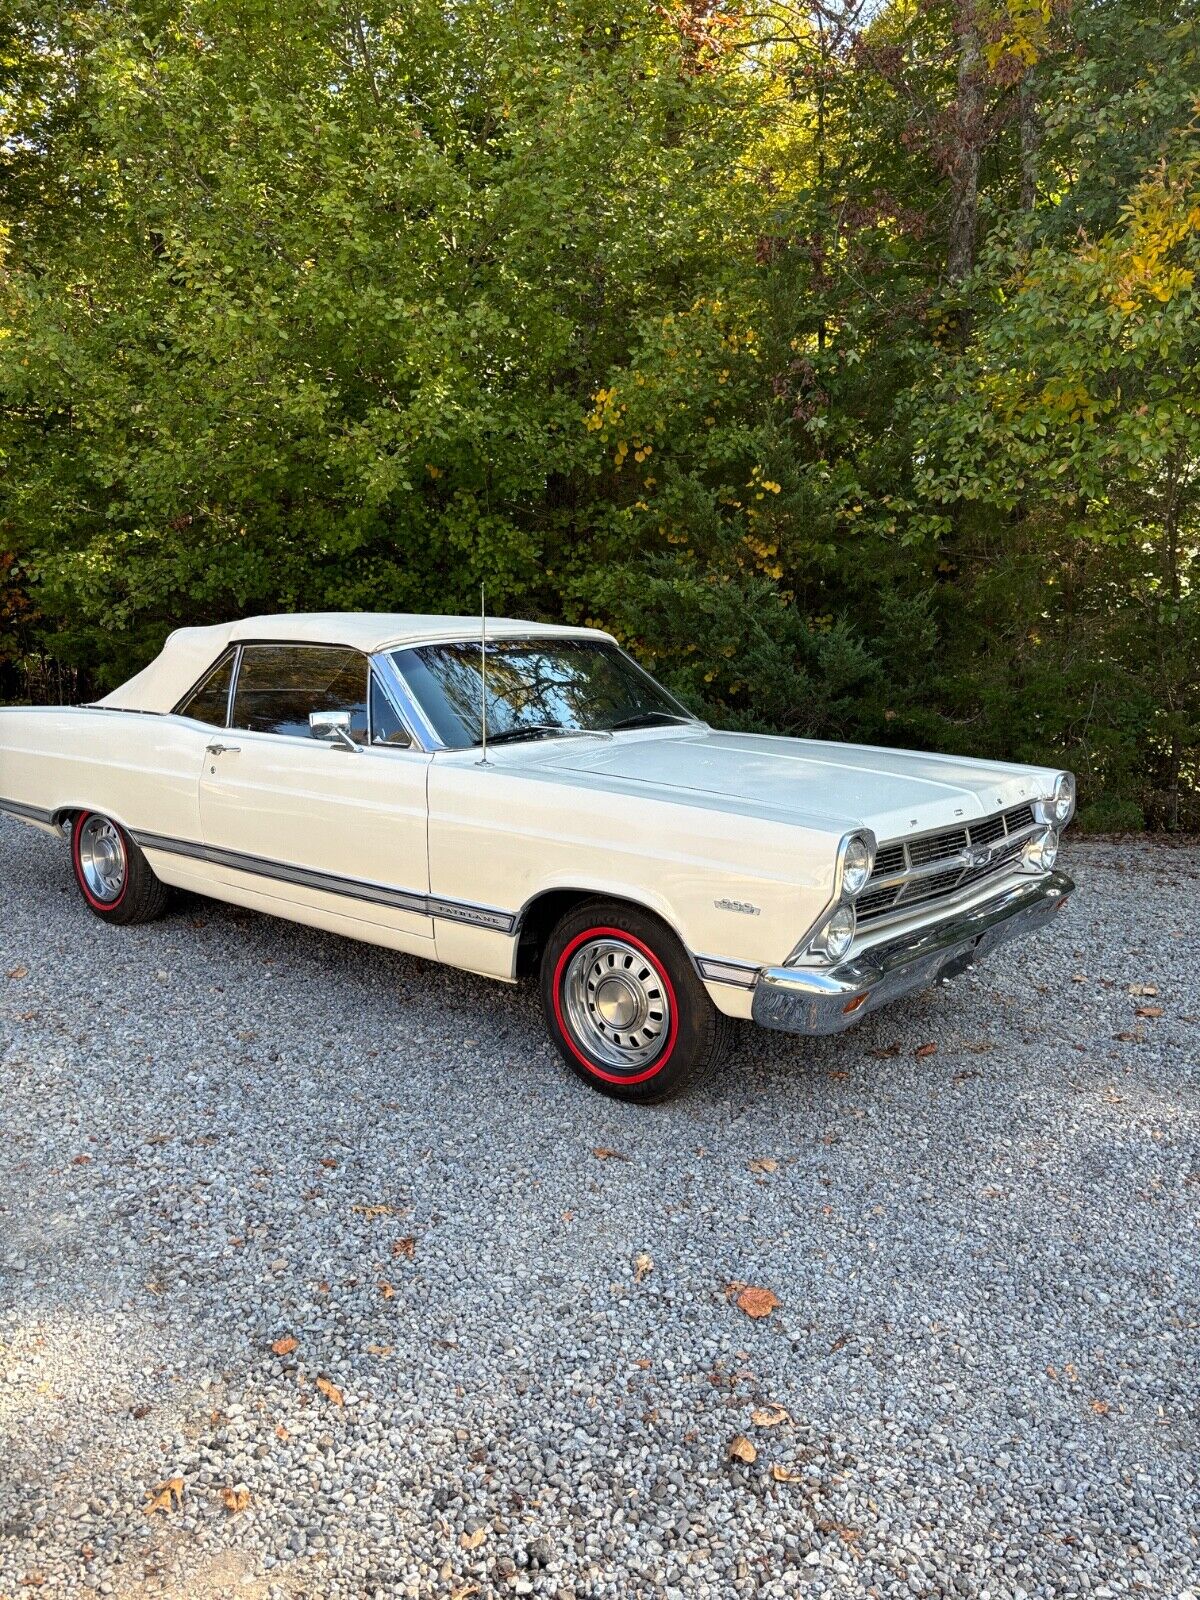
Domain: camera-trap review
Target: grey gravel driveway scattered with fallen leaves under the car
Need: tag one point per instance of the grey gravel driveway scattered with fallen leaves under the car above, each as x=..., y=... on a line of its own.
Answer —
x=510, y=1356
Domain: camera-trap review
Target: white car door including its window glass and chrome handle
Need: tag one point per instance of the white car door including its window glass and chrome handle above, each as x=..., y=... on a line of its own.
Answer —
x=321, y=823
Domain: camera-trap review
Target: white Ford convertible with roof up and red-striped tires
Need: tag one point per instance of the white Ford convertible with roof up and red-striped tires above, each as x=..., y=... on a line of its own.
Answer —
x=660, y=878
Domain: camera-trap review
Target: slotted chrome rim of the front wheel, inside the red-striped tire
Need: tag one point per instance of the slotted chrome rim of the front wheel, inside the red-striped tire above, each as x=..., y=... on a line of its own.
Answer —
x=617, y=1004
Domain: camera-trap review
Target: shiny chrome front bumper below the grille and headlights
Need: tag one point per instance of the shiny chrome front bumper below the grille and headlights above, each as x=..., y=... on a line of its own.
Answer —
x=815, y=1001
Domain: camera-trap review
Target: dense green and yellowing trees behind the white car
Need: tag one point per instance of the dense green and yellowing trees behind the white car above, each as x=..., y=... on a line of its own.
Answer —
x=846, y=364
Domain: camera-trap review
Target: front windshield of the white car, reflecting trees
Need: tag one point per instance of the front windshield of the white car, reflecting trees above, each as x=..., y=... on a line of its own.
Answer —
x=537, y=689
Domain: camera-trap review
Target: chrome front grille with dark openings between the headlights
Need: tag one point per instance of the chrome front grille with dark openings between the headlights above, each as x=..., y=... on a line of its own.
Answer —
x=910, y=873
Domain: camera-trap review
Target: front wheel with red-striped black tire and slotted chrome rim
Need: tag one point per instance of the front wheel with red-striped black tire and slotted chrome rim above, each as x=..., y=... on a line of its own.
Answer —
x=625, y=1006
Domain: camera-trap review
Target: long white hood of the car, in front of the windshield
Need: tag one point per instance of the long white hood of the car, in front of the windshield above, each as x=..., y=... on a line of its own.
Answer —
x=894, y=793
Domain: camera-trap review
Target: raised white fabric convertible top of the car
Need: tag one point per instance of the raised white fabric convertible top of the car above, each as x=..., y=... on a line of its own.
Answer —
x=190, y=652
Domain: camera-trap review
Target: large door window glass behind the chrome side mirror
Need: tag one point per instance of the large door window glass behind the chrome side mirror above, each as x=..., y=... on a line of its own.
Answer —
x=278, y=687
